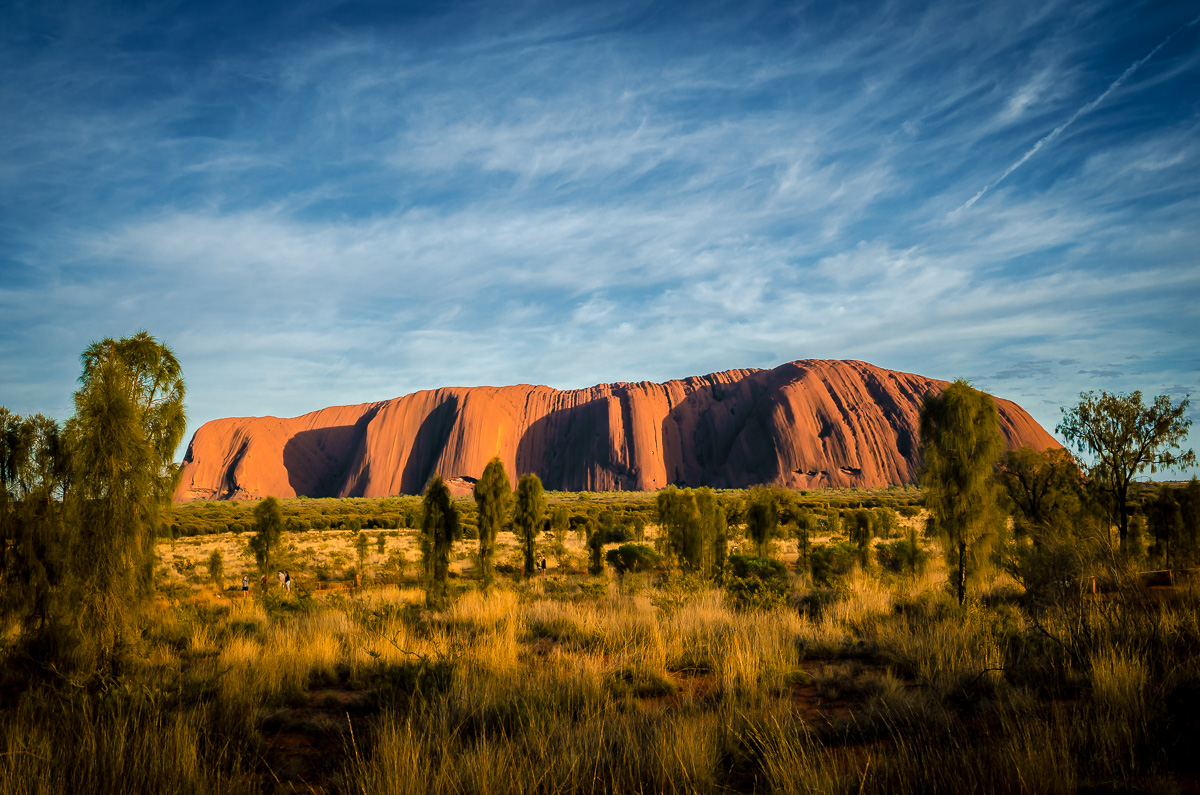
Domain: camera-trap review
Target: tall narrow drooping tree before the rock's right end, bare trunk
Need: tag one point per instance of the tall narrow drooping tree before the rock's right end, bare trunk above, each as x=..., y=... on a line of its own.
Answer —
x=959, y=446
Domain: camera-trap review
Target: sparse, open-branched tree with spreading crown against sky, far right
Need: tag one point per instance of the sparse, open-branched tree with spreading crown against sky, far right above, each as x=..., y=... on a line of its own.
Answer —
x=1126, y=438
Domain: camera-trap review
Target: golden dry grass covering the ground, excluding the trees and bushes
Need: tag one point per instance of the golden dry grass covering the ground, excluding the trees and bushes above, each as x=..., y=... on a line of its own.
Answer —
x=656, y=683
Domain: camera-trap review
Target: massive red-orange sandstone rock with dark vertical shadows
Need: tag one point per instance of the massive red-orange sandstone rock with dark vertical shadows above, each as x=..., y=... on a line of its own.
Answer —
x=805, y=425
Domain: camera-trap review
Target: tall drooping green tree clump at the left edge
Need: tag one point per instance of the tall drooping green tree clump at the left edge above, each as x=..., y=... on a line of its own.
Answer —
x=80, y=506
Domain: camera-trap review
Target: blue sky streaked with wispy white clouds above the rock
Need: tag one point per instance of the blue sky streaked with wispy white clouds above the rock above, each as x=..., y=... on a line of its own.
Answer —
x=323, y=204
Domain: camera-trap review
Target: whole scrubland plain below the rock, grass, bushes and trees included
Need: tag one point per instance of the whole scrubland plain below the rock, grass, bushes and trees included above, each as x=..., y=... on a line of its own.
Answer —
x=985, y=635
